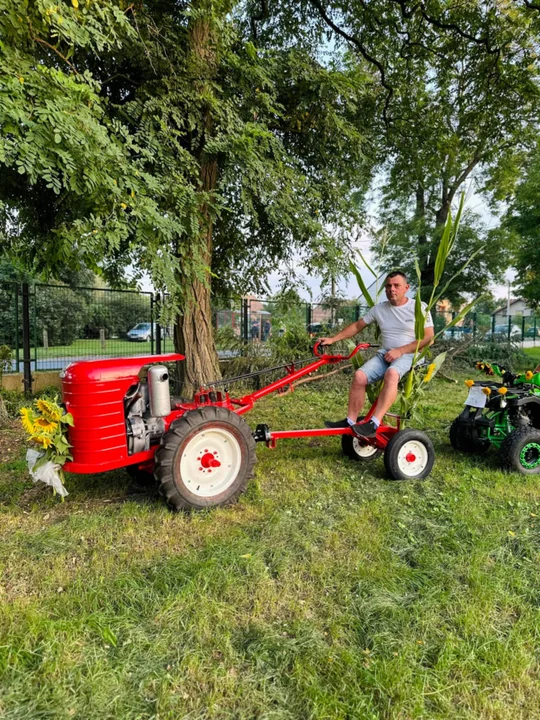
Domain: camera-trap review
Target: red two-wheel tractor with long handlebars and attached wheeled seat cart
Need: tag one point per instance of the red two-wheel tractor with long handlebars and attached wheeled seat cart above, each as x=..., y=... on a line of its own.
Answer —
x=202, y=453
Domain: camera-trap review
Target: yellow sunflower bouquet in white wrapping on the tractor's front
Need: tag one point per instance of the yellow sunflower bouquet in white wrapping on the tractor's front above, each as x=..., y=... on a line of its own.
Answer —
x=46, y=423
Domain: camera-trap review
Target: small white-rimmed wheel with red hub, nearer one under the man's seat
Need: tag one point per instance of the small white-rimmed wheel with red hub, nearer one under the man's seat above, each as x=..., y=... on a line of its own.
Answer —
x=396, y=455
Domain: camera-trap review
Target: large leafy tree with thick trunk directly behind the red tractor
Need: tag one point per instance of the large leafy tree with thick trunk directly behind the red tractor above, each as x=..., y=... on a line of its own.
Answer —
x=163, y=137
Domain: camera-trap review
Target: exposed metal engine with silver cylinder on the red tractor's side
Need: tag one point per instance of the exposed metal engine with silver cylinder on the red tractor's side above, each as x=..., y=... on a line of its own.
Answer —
x=146, y=404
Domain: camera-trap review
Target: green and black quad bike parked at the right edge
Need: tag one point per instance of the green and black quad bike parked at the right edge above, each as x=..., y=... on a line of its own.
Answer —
x=504, y=414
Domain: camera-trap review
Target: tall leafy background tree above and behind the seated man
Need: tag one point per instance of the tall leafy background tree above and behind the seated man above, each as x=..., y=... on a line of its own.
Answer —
x=457, y=97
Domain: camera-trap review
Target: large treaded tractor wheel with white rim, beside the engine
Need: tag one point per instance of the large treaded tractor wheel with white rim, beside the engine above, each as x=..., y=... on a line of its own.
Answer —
x=193, y=442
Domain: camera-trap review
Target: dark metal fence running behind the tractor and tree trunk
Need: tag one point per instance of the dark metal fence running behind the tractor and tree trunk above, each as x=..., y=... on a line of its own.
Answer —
x=48, y=326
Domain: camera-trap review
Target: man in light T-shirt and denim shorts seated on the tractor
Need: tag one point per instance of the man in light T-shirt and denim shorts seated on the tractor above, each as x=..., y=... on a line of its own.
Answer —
x=395, y=318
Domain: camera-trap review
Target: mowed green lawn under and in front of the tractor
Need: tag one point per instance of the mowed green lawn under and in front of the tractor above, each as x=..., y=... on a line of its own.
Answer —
x=327, y=592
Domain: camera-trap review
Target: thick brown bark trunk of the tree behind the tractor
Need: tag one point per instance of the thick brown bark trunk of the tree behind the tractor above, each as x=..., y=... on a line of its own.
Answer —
x=193, y=333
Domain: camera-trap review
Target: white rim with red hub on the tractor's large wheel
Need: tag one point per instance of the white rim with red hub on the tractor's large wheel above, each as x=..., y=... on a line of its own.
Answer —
x=210, y=462
